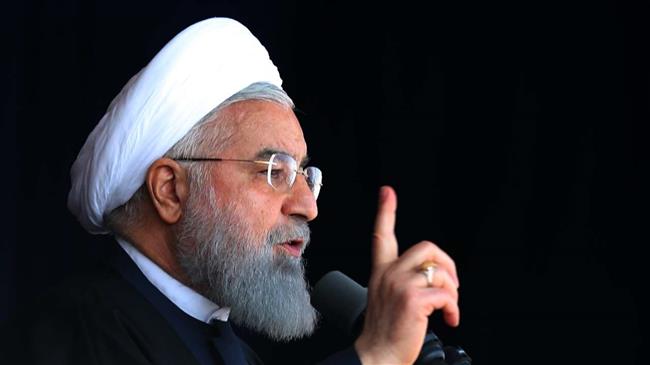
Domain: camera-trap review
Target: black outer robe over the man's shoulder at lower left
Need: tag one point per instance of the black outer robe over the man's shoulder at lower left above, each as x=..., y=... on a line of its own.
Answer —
x=97, y=318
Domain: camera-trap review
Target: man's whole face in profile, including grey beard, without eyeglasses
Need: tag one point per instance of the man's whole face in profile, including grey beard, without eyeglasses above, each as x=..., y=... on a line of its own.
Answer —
x=240, y=240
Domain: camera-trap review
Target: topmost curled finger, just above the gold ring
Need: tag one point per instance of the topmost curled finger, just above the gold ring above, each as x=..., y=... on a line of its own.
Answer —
x=427, y=251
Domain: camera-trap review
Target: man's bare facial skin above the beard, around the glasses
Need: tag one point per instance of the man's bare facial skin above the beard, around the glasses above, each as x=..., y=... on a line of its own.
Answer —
x=258, y=128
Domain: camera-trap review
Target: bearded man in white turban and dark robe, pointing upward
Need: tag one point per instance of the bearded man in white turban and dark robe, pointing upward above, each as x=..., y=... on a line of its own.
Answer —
x=199, y=170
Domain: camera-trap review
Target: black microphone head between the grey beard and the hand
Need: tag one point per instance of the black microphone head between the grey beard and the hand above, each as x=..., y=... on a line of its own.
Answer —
x=341, y=301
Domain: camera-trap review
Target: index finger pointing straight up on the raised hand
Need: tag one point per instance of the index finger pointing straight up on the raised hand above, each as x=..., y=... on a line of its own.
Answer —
x=385, y=249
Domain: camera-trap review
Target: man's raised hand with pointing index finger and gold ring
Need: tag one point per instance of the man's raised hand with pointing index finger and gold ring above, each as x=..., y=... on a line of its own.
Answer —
x=400, y=300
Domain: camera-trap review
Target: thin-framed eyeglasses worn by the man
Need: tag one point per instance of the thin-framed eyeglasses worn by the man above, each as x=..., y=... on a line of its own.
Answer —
x=281, y=171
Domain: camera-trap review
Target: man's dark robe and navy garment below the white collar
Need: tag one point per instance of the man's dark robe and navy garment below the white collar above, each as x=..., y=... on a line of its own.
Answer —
x=116, y=316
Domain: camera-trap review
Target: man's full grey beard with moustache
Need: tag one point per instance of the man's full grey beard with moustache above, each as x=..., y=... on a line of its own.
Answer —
x=232, y=266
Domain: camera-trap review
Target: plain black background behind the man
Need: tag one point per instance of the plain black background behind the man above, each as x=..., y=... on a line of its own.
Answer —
x=512, y=132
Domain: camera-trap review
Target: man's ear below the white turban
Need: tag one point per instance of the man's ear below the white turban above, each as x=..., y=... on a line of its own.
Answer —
x=168, y=188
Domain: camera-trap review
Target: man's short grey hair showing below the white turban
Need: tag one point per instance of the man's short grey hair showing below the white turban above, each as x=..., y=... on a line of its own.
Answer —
x=207, y=135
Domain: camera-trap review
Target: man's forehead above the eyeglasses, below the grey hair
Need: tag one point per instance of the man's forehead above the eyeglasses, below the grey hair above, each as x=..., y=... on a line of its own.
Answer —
x=259, y=125
